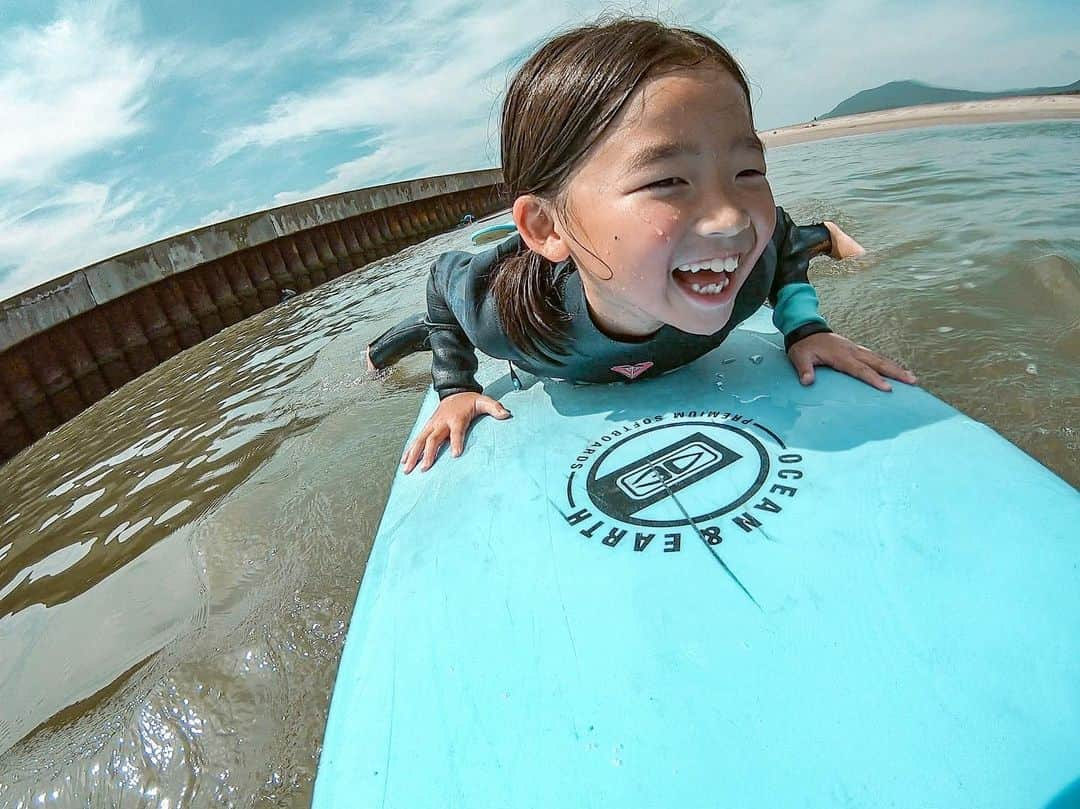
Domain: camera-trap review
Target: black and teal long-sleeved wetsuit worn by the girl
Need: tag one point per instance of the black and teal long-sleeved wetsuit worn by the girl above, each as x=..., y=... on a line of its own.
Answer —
x=463, y=317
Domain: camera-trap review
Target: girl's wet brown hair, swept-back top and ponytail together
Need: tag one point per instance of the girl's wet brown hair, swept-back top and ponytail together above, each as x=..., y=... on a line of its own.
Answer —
x=558, y=107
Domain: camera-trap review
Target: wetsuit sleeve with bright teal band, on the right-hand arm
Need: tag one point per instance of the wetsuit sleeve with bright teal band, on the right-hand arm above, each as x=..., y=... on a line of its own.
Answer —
x=794, y=302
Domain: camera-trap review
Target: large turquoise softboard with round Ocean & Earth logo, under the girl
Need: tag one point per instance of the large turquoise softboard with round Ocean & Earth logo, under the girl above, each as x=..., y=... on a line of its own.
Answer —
x=717, y=589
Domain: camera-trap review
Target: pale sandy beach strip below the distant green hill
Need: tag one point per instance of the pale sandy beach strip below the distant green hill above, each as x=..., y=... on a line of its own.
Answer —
x=1000, y=111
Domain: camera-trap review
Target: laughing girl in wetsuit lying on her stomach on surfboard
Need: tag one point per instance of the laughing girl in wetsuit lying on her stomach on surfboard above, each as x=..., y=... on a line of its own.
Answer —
x=647, y=232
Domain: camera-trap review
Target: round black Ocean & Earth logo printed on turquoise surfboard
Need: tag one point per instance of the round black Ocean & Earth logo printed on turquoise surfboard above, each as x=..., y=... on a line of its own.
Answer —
x=693, y=475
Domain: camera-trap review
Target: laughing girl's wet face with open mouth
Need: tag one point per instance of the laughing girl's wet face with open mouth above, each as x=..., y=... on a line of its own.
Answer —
x=671, y=209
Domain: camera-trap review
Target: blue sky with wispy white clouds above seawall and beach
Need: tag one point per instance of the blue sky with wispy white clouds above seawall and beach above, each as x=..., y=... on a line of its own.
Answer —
x=125, y=123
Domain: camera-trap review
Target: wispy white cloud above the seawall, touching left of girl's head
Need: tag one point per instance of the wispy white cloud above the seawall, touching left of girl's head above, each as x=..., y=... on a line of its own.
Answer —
x=435, y=111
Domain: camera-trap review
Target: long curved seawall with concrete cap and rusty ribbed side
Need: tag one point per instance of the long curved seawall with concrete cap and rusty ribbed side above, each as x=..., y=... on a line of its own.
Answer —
x=71, y=342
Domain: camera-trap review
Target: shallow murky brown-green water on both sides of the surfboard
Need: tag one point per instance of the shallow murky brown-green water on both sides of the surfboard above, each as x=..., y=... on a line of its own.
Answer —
x=178, y=564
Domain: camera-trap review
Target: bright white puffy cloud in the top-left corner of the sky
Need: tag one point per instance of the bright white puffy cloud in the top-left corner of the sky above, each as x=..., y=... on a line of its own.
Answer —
x=67, y=90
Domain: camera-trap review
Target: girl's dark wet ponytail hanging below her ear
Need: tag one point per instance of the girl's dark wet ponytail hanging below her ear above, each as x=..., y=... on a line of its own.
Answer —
x=530, y=305
